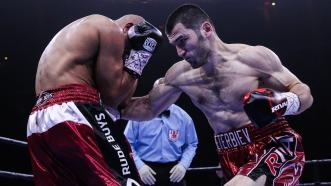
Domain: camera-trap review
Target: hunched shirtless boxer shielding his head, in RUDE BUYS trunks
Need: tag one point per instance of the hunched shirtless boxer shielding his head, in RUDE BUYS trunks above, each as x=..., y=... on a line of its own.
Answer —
x=71, y=134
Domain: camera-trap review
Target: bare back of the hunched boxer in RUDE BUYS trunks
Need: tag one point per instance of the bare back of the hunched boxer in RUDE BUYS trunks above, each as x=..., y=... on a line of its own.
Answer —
x=68, y=58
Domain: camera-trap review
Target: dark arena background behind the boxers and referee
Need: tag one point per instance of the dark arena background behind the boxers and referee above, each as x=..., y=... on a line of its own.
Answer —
x=298, y=31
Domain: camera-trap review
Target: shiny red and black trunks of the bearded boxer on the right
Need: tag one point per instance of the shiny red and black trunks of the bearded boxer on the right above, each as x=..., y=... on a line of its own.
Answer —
x=274, y=150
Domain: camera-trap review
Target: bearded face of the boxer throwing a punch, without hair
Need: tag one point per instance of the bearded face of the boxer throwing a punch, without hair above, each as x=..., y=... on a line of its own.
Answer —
x=190, y=45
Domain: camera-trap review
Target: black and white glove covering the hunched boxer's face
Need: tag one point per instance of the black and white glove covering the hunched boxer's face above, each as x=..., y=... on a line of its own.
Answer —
x=144, y=39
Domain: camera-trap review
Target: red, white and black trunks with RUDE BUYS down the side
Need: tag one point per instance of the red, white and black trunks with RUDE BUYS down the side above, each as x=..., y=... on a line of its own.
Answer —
x=73, y=140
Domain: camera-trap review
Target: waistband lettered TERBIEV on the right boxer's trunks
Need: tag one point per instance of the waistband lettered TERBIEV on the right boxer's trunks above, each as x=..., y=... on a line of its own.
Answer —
x=248, y=134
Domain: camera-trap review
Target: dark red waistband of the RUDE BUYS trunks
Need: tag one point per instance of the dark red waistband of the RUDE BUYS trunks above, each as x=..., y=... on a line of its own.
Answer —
x=67, y=93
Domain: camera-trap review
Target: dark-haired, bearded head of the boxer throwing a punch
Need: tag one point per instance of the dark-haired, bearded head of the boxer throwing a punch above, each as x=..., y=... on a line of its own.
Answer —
x=189, y=29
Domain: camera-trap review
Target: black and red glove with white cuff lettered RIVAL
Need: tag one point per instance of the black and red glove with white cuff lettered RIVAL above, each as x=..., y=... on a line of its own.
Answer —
x=263, y=105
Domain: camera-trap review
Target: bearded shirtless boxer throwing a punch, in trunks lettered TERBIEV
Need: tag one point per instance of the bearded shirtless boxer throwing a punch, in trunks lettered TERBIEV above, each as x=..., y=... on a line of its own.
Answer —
x=257, y=147
